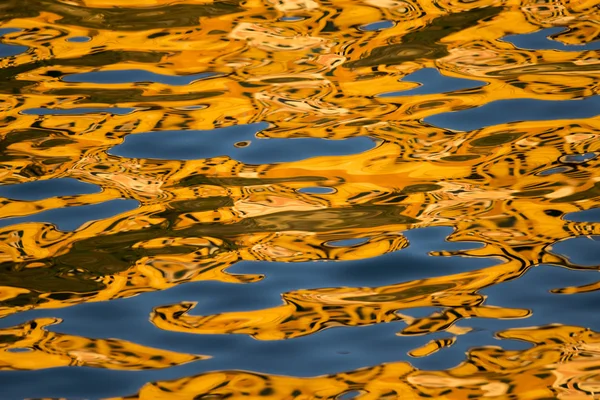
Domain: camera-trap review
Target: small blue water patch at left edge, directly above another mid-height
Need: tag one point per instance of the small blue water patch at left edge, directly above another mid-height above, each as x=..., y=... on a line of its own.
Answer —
x=38, y=190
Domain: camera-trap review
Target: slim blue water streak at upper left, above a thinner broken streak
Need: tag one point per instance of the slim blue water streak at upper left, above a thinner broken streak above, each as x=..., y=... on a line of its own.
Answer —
x=135, y=75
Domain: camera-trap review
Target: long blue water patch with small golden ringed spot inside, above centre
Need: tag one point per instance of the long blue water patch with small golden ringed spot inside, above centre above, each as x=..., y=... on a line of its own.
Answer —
x=192, y=145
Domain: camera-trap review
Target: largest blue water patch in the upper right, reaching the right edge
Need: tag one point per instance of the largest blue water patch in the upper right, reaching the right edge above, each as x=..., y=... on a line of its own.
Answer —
x=504, y=111
